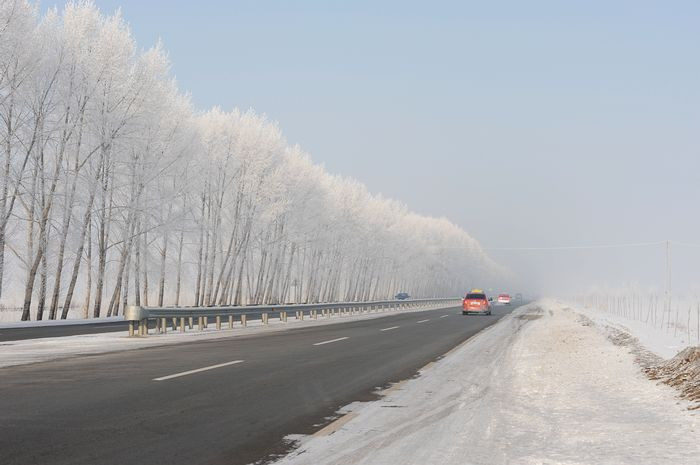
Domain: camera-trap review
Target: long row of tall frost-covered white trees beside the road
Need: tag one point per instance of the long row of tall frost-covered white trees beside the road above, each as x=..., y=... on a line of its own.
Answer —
x=114, y=191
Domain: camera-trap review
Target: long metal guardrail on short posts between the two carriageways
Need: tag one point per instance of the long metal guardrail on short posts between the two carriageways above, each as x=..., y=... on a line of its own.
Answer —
x=184, y=317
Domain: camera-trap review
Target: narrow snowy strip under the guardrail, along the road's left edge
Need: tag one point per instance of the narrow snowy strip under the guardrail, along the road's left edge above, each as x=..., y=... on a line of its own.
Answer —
x=40, y=350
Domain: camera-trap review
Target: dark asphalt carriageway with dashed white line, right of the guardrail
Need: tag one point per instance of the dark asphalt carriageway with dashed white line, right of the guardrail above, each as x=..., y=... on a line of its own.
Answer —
x=231, y=400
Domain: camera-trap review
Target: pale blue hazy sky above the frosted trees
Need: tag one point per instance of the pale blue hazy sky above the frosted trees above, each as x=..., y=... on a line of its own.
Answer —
x=540, y=123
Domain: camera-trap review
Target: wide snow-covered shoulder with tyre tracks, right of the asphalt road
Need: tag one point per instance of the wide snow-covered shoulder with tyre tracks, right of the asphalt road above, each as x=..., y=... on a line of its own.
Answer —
x=542, y=386
